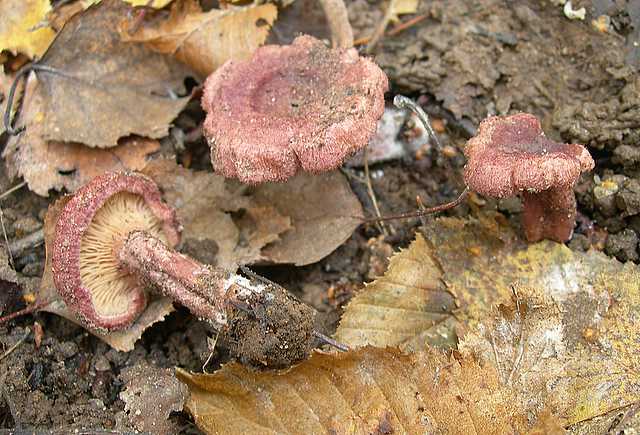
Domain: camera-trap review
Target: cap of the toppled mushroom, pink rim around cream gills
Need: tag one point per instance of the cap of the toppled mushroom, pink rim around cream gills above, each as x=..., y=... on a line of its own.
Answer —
x=89, y=230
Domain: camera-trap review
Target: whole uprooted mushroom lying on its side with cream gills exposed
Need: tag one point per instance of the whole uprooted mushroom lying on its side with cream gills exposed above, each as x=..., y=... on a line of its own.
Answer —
x=114, y=243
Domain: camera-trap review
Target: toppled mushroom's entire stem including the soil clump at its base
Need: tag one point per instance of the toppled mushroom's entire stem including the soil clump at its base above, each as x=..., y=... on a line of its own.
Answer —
x=258, y=321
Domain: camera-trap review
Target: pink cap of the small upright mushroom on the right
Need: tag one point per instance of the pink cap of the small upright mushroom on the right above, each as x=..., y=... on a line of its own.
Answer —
x=511, y=154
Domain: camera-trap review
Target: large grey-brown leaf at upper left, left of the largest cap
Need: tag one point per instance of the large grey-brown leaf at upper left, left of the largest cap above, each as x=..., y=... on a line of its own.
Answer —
x=99, y=88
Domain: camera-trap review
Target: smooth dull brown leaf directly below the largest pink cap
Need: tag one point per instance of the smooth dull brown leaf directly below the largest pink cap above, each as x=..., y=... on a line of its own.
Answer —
x=324, y=213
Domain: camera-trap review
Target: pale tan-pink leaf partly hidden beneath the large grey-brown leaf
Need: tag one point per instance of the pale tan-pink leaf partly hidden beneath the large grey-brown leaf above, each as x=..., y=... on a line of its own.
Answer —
x=57, y=165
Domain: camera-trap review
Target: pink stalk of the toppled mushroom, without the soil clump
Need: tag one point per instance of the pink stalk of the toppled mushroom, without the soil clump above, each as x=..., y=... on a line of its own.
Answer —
x=205, y=290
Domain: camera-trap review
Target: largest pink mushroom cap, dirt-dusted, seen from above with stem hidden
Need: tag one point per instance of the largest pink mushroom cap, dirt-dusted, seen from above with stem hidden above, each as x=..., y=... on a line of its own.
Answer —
x=290, y=107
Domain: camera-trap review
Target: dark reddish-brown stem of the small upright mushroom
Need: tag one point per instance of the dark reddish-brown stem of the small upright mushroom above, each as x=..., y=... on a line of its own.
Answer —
x=550, y=214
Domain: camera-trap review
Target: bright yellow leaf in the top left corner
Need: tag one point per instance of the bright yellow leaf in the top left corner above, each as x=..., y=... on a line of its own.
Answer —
x=20, y=27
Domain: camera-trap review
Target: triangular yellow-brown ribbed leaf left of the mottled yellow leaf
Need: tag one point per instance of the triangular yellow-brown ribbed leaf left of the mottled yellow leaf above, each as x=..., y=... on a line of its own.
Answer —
x=409, y=306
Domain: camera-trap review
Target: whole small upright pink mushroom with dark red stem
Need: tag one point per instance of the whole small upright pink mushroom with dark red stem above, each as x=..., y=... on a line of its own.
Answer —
x=510, y=155
